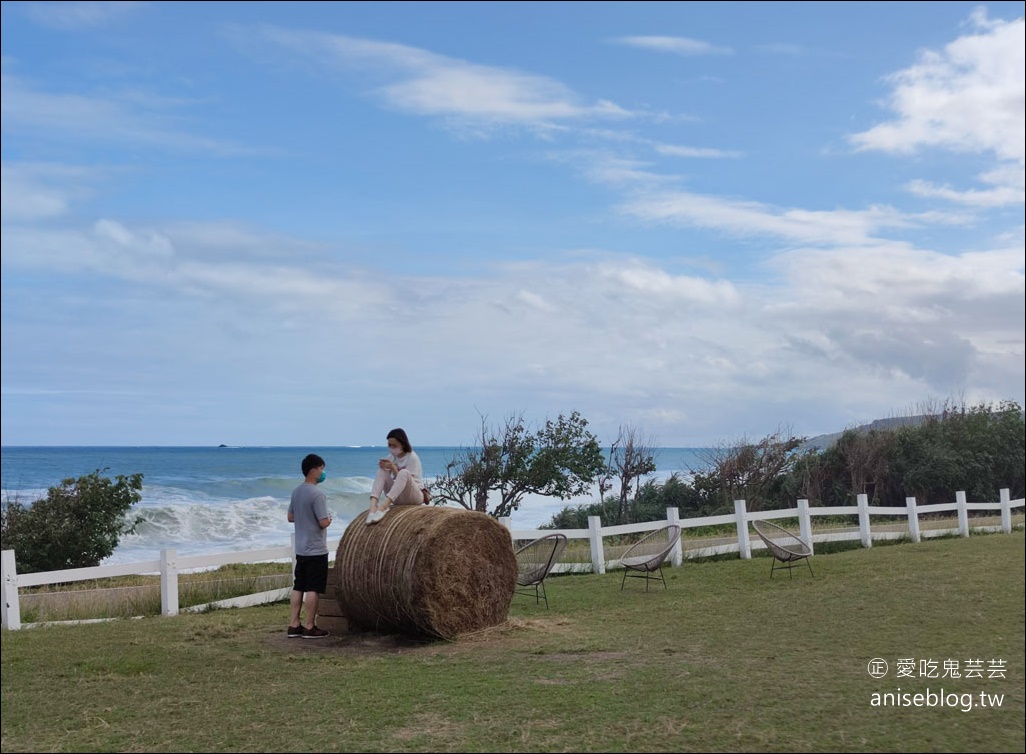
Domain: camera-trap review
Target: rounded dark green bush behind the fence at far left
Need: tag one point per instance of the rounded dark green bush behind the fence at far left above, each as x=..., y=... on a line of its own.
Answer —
x=76, y=526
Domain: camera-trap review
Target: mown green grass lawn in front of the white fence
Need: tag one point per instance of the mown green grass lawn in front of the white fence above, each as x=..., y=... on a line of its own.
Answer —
x=724, y=660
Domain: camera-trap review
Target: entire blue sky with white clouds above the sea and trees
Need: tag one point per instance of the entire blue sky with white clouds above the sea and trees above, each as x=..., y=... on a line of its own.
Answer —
x=305, y=224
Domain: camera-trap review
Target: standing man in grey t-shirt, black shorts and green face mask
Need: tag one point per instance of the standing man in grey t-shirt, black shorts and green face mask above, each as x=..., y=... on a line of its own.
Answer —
x=308, y=511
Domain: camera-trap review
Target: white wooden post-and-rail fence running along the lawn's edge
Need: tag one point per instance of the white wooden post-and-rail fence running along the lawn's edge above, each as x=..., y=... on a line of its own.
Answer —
x=171, y=565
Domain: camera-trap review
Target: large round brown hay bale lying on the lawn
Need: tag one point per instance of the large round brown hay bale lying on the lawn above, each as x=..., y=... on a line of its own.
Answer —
x=426, y=571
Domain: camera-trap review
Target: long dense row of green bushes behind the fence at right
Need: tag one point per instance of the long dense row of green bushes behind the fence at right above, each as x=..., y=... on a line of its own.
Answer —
x=978, y=450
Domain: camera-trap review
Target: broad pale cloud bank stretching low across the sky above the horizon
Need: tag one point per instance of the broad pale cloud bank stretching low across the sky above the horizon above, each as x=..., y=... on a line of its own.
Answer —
x=621, y=339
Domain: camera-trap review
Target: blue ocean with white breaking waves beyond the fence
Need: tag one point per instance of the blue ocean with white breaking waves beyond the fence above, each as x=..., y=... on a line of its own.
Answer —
x=208, y=500
